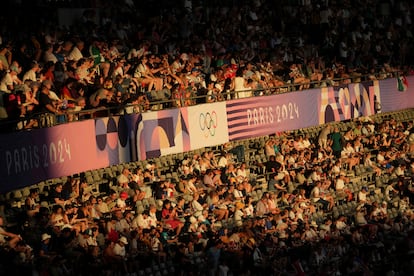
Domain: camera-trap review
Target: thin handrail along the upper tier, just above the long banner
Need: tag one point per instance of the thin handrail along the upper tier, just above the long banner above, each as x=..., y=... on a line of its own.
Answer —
x=48, y=119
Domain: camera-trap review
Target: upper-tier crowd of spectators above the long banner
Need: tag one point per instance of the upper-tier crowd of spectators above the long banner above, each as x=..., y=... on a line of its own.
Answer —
x=194, y=52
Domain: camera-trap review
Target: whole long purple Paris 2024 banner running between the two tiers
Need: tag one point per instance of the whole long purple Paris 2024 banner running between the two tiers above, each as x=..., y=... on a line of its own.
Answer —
x=29, y=157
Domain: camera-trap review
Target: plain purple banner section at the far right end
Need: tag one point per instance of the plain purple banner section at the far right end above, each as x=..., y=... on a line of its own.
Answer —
x=396, y=97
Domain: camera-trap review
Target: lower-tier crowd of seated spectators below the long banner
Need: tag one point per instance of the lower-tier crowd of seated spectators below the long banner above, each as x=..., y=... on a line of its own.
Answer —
x=329, y=206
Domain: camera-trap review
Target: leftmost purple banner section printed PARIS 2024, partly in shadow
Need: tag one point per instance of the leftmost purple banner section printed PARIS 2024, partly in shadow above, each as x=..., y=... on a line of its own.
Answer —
x=27, y=158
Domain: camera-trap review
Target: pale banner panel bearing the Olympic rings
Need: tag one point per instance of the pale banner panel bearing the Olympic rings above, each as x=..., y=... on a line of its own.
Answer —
x=207, y=125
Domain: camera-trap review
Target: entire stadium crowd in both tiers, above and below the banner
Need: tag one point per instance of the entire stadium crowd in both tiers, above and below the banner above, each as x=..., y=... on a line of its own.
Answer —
x=335, y=203
